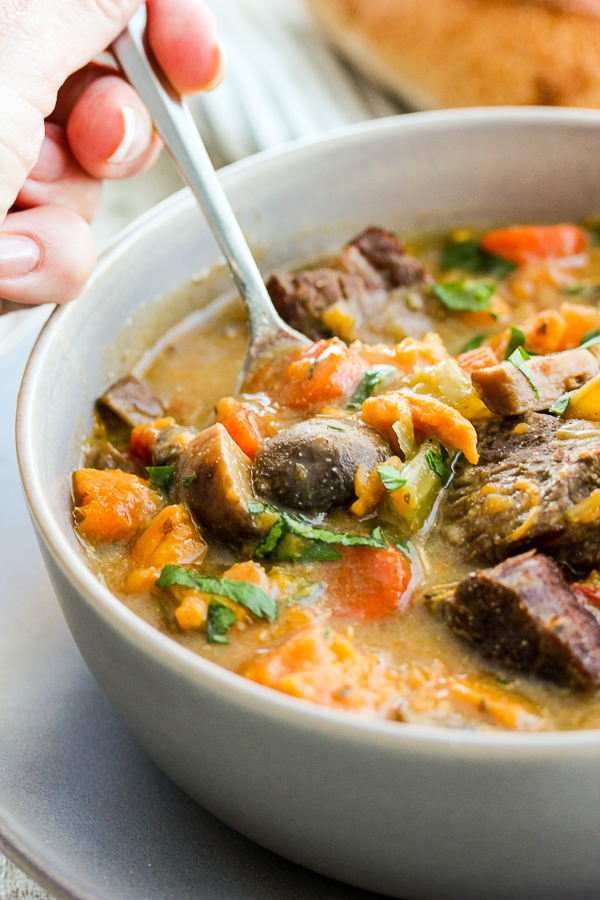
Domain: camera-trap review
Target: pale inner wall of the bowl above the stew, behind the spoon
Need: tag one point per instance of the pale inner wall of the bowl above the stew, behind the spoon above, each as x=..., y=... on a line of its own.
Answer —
x=411, y=173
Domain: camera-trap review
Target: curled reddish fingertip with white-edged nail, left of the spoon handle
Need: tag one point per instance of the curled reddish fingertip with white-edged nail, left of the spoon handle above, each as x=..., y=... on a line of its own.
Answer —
x=110, y=131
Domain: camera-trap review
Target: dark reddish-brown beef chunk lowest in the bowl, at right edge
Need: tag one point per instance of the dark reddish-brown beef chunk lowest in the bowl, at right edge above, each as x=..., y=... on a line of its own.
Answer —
x=525, y=616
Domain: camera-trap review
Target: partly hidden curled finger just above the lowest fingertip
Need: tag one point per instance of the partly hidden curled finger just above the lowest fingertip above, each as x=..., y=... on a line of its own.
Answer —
x=57, y=179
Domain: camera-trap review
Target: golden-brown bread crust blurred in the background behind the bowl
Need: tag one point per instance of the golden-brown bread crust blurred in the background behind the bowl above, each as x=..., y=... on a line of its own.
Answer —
x=448, y=53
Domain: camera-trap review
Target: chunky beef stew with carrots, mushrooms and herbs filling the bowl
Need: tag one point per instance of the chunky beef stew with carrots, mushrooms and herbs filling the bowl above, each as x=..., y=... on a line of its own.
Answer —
x=402, y=519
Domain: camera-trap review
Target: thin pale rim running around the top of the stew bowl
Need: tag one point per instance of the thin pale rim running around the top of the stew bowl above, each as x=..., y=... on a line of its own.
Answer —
x=166, y=651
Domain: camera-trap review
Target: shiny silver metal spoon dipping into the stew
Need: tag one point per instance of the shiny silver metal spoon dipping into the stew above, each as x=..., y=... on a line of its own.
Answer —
x=174, y=123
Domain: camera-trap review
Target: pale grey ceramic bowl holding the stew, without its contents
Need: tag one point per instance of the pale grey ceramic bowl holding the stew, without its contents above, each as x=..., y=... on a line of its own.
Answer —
x=415, y=812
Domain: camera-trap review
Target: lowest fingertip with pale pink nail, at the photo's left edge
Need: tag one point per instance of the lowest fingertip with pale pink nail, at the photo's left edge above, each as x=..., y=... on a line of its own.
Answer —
x=46, y=255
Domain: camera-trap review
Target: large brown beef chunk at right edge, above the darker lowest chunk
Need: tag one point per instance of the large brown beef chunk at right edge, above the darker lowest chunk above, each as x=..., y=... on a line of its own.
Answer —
x=523, y=491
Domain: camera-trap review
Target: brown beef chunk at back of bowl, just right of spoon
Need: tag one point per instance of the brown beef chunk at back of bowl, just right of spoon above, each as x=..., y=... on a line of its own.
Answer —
x=372, y=264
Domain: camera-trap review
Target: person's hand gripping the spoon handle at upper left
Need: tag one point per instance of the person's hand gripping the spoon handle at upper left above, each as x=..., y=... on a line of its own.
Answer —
x=66, y=123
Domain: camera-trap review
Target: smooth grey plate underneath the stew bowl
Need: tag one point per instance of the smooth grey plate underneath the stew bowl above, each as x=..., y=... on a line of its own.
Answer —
x=82, y=808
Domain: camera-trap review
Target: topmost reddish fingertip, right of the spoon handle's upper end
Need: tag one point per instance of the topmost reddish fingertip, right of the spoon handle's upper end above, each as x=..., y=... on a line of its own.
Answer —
x=185, y=44
